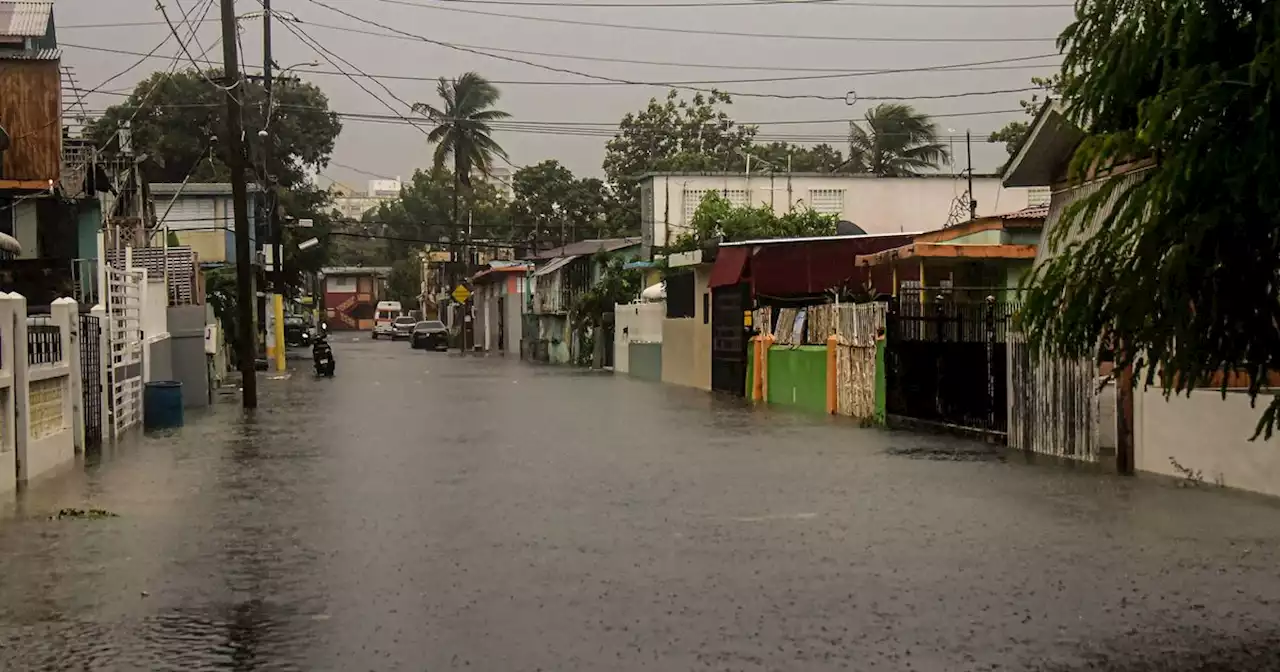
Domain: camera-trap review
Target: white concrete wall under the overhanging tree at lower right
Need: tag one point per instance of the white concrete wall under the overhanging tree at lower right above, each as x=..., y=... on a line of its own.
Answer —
x=1209, y=435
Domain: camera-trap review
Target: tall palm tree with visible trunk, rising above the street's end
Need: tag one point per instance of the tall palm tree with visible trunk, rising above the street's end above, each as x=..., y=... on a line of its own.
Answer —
x=463, y=130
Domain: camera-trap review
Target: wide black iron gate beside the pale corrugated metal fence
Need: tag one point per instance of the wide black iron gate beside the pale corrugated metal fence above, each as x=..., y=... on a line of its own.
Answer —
x=947, y=363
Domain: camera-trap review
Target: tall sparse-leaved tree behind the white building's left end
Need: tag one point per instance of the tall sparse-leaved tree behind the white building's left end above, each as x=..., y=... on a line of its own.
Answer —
x=671, y=135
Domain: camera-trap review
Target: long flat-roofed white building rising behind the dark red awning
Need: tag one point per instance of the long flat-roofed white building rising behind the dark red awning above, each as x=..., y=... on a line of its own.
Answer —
x=875, y=204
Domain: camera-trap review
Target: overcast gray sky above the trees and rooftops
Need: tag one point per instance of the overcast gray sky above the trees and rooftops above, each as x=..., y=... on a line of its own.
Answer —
x=397, y=149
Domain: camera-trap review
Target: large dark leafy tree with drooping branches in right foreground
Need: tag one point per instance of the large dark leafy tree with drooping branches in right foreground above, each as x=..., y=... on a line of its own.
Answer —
x=1177, y=268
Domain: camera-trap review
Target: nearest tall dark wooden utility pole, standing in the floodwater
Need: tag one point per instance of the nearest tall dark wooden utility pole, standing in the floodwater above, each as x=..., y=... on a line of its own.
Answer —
x=240, y=204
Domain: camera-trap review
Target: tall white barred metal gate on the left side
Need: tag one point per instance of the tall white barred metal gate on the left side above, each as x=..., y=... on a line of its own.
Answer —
x=125, y=342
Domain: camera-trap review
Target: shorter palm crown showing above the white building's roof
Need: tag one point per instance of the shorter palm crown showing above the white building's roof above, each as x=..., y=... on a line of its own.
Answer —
x=897, y=143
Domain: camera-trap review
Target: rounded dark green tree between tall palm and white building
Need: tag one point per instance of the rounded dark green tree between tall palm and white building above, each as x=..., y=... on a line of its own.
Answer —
x=554, y=208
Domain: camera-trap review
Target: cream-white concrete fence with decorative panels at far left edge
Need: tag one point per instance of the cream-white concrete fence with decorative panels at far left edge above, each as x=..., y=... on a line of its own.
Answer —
x=40, y=390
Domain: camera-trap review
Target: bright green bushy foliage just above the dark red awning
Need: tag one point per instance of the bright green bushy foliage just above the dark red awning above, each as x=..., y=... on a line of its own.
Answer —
x=717, y=218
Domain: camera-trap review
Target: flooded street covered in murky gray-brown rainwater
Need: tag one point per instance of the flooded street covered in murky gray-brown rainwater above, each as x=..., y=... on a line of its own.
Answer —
x=428, y=511
